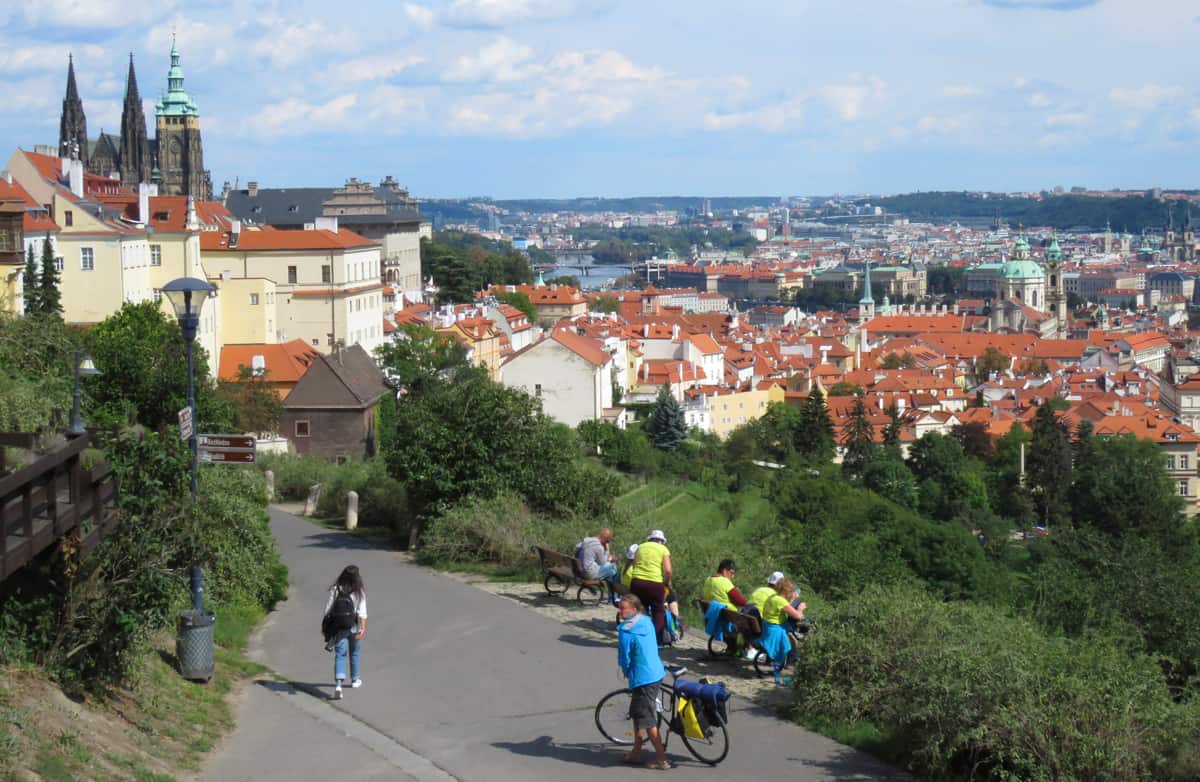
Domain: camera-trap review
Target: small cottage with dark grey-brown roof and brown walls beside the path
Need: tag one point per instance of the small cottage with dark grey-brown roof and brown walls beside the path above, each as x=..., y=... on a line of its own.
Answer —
x=331, y=412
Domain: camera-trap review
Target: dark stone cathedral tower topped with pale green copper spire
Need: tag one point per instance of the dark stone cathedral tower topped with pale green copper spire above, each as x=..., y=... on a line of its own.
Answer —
x=178, y=139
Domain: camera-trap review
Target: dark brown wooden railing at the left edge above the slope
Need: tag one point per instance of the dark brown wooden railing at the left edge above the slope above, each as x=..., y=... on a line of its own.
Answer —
x=51, y=500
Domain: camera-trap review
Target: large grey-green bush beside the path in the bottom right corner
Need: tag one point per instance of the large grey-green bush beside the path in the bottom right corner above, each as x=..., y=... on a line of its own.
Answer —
x=967, y=690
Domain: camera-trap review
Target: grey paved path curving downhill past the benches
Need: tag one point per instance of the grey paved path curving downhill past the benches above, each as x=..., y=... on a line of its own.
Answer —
x=460, y=684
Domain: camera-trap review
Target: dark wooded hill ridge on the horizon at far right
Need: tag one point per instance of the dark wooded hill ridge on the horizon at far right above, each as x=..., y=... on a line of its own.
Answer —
x=1132, y=214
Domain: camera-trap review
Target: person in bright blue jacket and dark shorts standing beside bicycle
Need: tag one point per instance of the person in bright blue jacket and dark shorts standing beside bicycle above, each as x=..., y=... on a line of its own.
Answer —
x=638, y=655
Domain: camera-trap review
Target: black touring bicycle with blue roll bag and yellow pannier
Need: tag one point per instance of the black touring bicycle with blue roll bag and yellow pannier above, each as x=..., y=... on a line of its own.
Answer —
x=613, y=720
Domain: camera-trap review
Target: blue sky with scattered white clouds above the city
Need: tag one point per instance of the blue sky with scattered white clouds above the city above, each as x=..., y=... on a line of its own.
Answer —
x=622, y=98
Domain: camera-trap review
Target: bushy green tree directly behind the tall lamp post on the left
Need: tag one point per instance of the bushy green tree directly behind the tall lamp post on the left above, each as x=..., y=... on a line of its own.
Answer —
x=143, y=363
